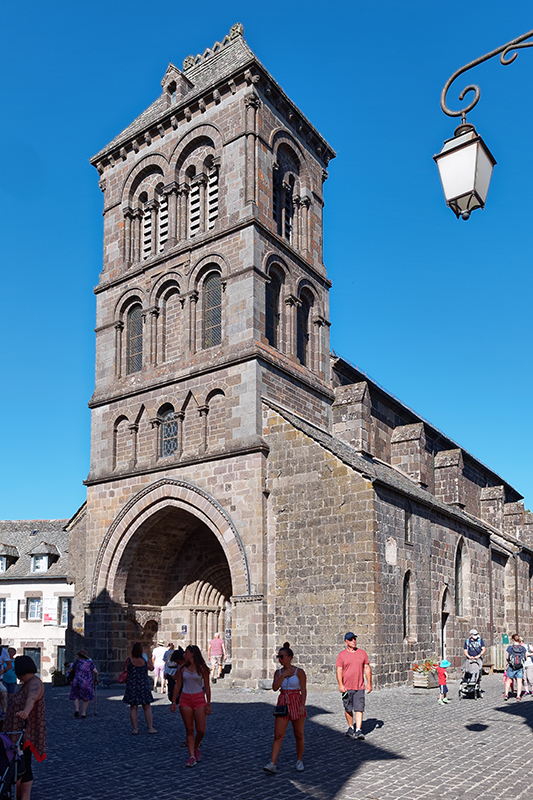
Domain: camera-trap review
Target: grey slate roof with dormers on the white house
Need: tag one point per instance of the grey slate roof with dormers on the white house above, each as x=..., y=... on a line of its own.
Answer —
x=37, y=536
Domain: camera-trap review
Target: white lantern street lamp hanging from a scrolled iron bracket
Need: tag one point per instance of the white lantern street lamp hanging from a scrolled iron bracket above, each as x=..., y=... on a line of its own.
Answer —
x=465, y=162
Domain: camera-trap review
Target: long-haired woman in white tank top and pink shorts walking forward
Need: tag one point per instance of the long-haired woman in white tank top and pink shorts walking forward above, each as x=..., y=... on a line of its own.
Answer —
x=195, y=700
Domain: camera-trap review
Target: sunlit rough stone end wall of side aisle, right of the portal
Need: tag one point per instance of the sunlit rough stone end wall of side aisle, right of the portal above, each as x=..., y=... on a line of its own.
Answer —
x=321, y=551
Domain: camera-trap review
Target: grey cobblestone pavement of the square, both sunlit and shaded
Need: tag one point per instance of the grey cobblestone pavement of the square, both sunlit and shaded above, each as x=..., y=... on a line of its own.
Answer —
x=414, y=749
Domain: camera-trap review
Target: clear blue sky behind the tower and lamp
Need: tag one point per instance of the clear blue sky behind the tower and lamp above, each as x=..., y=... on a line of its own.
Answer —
x=435, y=310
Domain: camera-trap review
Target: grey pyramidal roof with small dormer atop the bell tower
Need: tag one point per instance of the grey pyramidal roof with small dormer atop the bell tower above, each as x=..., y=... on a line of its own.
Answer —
x=204, y=72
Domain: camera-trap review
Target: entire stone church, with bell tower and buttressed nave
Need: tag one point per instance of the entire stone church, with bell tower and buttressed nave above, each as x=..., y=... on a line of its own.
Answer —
x=242, y=478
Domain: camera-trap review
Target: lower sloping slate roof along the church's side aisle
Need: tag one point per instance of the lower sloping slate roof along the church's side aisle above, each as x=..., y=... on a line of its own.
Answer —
x=378, y=472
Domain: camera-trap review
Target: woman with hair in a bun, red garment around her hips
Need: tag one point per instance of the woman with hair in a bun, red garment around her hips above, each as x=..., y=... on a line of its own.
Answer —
x=292, y=683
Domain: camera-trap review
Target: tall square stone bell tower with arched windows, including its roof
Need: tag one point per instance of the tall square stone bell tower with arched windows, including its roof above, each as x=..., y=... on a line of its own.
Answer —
x=213, y=297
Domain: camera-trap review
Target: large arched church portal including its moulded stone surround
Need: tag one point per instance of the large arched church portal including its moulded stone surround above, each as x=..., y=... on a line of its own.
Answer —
x=166, y=570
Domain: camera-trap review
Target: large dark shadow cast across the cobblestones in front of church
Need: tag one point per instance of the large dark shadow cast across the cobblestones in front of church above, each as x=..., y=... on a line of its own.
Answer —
x=99, y=758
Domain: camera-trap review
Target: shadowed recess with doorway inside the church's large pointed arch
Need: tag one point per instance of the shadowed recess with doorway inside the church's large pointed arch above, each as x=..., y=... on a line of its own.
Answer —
x=174, y=582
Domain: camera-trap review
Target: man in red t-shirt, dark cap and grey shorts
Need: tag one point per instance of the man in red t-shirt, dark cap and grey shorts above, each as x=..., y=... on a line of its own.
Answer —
x=352, y=669
